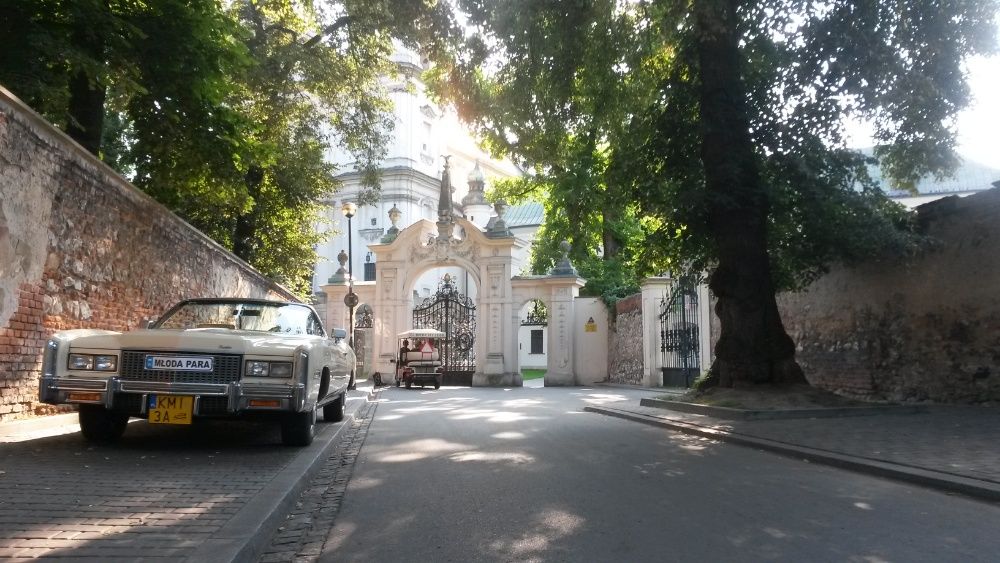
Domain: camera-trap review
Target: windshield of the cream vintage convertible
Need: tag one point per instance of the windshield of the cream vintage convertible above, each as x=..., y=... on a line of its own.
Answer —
x=285, y=318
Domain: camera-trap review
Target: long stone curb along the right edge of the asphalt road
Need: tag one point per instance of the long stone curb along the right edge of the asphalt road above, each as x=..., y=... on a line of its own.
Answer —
x=948, y=482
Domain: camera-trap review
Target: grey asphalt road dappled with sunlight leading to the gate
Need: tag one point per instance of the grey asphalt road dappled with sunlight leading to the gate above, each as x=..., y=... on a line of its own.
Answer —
x=525, y=475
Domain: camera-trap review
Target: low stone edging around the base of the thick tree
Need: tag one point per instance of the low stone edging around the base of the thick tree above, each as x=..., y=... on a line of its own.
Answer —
x=728, y=413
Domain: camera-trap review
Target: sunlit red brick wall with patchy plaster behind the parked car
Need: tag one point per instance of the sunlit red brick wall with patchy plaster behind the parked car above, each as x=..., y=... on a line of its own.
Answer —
x=81, y=248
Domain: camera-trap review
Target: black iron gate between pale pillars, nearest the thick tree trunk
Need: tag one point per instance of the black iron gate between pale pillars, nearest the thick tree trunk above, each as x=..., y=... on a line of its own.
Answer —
x=679, y=342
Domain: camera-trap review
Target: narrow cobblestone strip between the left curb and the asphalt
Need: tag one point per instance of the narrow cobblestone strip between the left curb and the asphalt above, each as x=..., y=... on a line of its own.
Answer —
x=300, y=539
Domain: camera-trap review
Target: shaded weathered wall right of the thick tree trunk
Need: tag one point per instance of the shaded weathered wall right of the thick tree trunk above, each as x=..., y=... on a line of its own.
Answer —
x=926, y=329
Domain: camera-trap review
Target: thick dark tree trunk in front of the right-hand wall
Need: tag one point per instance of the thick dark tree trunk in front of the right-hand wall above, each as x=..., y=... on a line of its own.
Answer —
x=753, y=346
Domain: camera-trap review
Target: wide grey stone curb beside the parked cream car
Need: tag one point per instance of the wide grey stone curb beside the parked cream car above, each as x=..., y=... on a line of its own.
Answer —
x=248, y=533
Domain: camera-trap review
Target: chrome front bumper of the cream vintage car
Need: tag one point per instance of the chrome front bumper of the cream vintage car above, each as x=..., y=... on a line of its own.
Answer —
x=240, y=397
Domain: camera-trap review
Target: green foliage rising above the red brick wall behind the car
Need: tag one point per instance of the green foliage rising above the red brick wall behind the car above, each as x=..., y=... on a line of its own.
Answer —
x=225, y=112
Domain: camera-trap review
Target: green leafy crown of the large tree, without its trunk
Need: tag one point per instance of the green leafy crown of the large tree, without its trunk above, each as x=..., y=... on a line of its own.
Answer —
x=600, y=101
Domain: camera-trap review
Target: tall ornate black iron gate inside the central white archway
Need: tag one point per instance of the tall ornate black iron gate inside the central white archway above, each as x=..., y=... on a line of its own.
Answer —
x=455, y=315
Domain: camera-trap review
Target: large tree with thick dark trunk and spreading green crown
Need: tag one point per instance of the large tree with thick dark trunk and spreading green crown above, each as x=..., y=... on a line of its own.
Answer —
x=721, y=123
